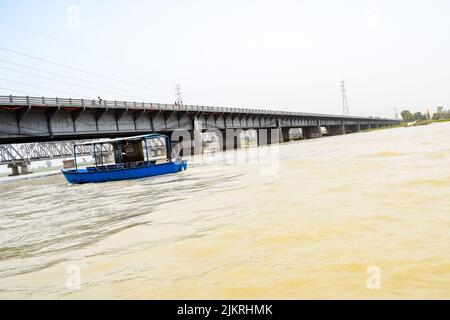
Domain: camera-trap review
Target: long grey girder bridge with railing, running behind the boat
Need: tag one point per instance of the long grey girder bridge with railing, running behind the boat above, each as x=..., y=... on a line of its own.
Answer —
x=39, y=119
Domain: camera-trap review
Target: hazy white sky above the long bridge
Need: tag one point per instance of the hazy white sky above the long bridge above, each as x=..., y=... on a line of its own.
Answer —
x=288, y=55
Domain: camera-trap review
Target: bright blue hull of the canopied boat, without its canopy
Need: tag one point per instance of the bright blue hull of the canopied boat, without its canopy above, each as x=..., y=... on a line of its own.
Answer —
x=86, y=176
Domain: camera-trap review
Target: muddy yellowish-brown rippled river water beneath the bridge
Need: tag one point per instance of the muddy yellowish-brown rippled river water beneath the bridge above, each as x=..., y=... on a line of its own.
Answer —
x=307, y=219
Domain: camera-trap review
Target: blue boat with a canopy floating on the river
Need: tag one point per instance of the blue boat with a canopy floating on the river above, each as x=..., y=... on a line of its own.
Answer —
x=134, y=157
